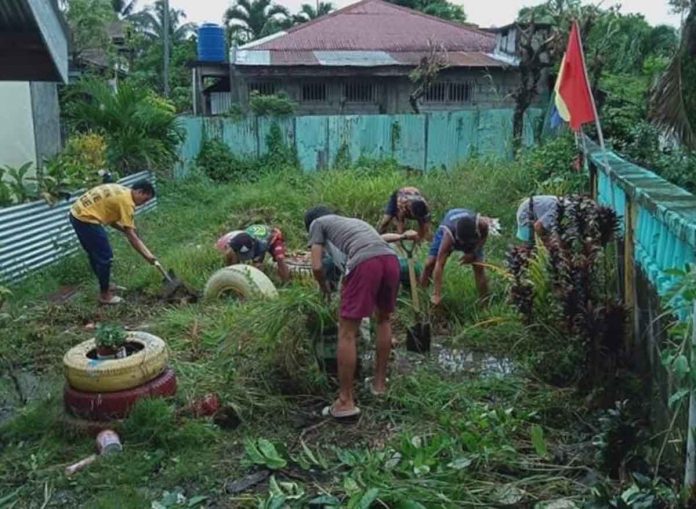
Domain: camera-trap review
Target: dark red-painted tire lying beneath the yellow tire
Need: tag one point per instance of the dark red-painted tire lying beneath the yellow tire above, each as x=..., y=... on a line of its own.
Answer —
x=106, y=406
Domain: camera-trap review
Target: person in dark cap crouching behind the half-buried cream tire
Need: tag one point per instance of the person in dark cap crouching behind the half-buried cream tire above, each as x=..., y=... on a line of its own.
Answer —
x=252, y=245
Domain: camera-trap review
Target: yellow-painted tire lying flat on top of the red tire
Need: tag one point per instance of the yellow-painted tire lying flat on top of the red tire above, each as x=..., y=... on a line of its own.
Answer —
x=93, y=375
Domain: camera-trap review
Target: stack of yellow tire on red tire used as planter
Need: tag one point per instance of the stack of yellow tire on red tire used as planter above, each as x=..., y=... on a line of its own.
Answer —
x=106, y=389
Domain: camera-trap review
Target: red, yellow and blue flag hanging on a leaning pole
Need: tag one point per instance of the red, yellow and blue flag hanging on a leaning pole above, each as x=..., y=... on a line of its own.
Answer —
x=574, y=100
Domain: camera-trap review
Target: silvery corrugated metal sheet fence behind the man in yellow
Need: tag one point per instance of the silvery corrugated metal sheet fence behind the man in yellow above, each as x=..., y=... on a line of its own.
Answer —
x=34, y=235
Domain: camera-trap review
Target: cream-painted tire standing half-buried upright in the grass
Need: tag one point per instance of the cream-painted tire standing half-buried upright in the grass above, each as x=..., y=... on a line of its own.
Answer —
x=244, y=281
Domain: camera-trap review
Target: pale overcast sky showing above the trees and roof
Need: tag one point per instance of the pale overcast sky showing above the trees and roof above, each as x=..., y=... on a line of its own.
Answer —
x=485, y=13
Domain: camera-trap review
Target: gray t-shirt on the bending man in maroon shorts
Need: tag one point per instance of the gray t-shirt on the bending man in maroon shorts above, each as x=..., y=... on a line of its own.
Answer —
x=349, y=241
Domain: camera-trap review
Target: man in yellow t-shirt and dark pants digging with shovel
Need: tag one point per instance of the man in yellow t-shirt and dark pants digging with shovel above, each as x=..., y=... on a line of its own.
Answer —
x=112, y=205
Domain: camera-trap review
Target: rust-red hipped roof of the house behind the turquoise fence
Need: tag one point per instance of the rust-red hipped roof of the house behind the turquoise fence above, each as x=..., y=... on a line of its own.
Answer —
x=374, y=25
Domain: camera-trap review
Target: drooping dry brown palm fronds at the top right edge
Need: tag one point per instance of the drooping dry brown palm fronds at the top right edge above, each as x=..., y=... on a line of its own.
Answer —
x=673, y=101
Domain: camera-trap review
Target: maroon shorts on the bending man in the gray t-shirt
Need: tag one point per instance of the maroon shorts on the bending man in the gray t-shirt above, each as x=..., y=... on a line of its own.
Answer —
x=374, y=283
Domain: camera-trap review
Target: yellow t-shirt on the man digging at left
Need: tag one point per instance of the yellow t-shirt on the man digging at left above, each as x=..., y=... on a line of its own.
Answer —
x=106, y=204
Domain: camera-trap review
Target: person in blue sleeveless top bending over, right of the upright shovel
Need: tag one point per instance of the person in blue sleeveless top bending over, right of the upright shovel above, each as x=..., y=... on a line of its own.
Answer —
x=461, y=230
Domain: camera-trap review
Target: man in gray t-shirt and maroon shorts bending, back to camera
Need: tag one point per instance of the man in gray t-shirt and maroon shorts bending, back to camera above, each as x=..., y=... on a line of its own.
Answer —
x=370, y=285
